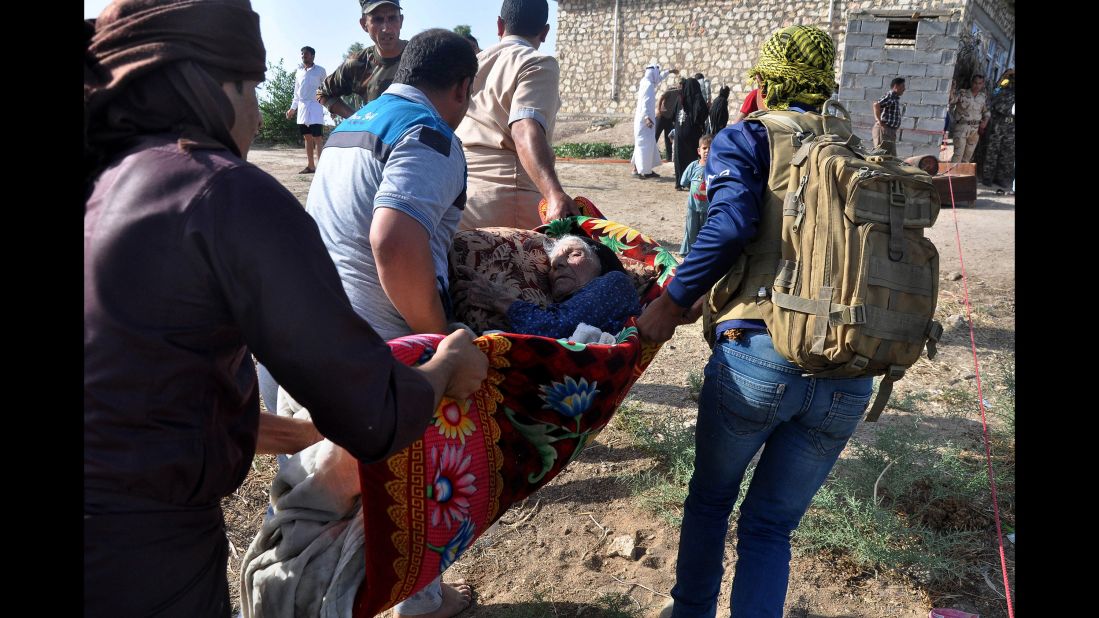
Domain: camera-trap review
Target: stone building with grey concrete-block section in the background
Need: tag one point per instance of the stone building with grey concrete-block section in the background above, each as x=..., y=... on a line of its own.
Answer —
x=603, y=47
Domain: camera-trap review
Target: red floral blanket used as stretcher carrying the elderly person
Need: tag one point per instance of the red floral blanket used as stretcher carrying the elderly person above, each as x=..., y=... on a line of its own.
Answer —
x=545, y=401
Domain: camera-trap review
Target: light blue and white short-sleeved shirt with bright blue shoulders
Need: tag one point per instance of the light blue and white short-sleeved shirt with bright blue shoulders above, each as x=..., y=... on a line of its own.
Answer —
x=397, y=152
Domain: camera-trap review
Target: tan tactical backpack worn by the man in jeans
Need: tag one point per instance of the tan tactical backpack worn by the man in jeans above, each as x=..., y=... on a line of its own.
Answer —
x=854, y=293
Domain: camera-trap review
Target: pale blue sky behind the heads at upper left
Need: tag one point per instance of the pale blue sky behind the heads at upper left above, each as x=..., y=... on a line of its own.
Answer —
x=330, y=27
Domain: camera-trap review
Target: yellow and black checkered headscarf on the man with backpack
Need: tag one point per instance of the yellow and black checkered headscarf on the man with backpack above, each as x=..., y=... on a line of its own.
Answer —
x=795, y=67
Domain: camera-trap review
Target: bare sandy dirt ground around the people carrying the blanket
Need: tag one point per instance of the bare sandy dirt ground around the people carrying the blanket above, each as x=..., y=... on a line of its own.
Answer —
x=550, y=556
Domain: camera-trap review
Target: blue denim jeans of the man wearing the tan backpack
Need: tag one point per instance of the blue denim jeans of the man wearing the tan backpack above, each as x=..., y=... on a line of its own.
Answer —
x=753, y=398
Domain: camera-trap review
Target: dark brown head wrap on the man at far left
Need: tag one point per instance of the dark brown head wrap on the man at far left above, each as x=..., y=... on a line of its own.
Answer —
x=158, y=65
